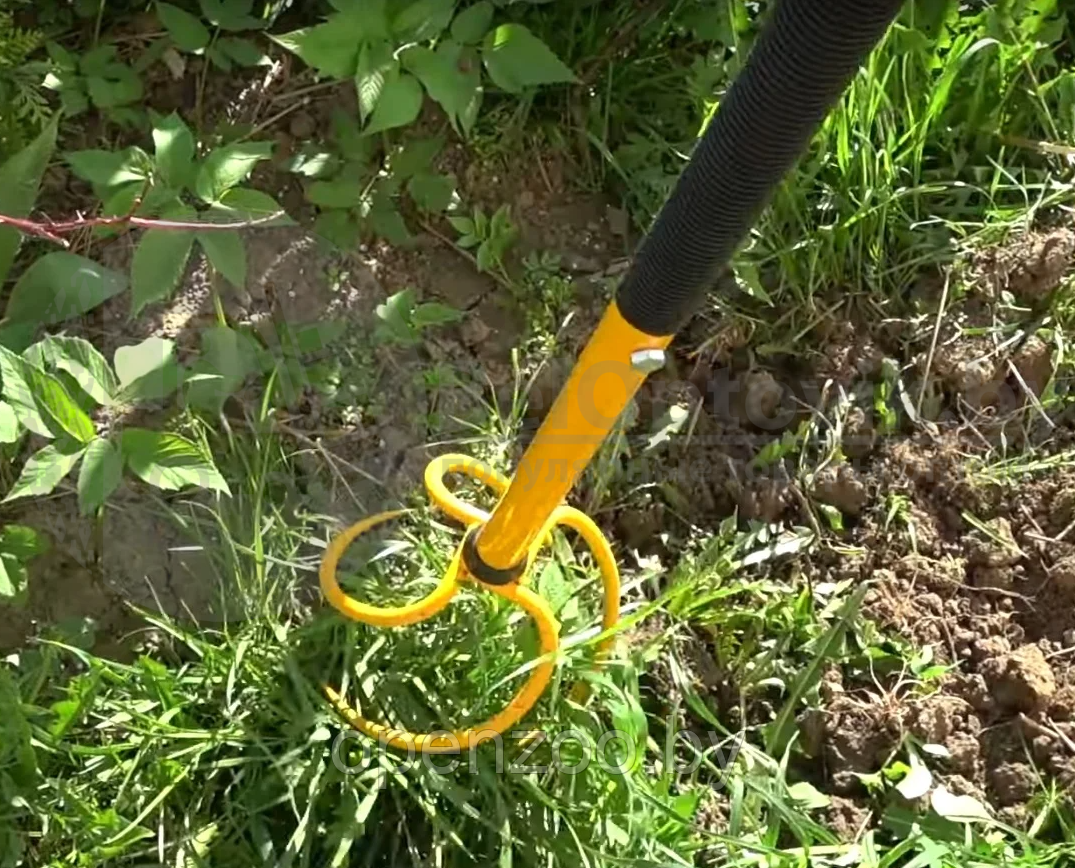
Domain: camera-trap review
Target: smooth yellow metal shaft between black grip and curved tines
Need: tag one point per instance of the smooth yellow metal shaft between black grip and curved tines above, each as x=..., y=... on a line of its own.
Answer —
x=601, y=385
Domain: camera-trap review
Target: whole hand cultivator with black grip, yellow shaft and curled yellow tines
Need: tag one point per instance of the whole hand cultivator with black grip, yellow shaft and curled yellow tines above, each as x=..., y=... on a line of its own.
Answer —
x=800, y=66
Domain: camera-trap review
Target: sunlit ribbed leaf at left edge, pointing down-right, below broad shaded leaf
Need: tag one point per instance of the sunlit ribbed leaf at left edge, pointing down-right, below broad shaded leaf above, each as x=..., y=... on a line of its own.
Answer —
x=41, y=402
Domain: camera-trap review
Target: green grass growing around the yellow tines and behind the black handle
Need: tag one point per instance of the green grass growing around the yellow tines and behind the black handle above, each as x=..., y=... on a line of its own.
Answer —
x=214, y=746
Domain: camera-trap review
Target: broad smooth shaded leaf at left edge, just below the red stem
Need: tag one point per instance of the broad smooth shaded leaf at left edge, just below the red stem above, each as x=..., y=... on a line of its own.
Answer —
x=62, y=287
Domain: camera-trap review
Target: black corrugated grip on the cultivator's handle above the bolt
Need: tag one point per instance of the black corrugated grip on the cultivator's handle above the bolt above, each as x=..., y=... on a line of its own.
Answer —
x=802, y=62
